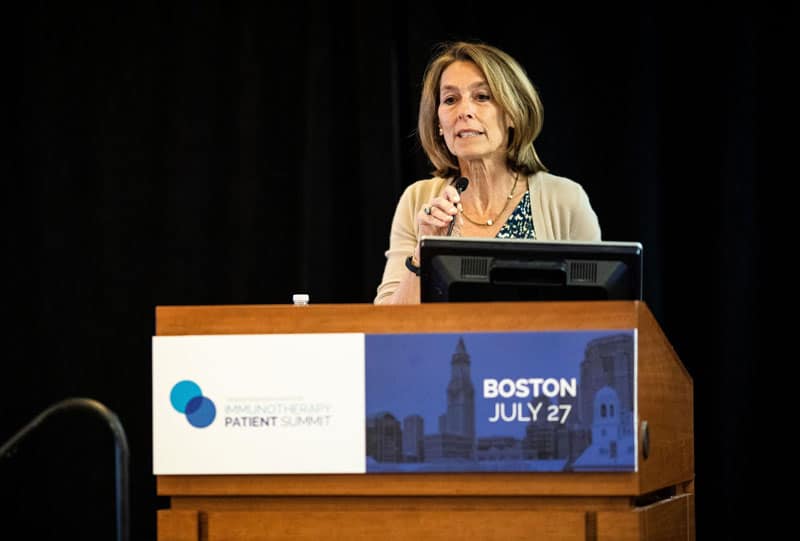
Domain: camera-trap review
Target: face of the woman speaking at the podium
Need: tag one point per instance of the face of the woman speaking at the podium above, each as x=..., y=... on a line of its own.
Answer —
x=473, y=125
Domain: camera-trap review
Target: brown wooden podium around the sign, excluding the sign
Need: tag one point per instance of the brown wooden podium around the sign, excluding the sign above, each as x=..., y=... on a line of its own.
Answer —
x=657, y=502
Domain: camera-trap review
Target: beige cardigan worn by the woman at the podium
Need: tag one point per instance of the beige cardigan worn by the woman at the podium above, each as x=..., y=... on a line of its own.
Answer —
x=560, y=208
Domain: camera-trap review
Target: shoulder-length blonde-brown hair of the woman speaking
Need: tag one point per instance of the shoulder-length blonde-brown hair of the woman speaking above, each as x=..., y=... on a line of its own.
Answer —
x=511, y=89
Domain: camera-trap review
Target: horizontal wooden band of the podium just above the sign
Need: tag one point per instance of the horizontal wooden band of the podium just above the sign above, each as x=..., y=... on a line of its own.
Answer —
x=419, y=318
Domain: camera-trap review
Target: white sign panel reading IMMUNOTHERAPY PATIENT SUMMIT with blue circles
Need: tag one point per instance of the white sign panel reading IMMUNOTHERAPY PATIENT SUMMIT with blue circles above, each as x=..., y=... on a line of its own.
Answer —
x=259, y=404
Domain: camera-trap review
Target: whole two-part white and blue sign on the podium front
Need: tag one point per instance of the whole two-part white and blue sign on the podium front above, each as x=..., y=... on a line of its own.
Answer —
x=555, y=401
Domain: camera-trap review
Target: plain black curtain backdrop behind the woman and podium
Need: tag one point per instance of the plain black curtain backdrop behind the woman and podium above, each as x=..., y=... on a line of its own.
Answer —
x=215, y=154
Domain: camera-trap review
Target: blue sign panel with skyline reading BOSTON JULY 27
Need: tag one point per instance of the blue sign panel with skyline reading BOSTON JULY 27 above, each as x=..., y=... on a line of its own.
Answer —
x=512, y=401
